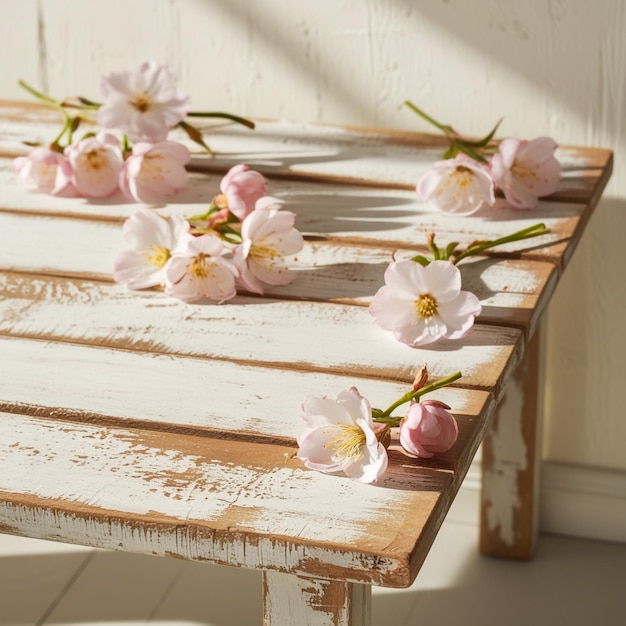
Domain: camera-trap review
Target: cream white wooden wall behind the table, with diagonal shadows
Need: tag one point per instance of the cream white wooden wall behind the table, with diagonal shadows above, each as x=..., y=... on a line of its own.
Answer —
x=555, y=67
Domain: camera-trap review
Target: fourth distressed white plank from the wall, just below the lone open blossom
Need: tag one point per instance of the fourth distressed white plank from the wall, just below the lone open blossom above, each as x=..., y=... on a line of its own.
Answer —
x=246, y=330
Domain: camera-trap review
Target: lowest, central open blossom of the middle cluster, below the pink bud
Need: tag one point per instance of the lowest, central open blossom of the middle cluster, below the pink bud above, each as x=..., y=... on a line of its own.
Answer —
x=197, y=270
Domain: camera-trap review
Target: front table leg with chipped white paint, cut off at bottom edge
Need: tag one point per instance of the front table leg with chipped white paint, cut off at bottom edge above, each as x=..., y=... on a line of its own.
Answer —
x=289, y=599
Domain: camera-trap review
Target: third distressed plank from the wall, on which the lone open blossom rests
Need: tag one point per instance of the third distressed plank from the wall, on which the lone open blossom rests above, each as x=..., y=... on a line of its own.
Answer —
x=510, y=291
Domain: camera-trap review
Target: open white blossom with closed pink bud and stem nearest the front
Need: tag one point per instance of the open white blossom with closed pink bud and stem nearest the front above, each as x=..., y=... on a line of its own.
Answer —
x=348, y=435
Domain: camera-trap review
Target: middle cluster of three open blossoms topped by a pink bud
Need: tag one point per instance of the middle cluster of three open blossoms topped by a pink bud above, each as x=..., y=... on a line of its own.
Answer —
x=244, y=236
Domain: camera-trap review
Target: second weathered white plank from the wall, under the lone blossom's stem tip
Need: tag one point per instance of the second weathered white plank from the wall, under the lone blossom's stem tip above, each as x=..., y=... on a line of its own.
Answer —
x=333, y=213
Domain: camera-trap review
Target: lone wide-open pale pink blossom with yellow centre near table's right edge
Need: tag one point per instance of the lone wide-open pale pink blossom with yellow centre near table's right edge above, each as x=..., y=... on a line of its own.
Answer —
x=420, y=305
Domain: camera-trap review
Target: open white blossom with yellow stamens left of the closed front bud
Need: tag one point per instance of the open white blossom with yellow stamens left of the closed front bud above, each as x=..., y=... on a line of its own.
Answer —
x=339, y=437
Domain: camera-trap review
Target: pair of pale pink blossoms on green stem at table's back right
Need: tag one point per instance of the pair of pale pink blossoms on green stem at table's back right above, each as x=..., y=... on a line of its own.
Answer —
x=472, y=172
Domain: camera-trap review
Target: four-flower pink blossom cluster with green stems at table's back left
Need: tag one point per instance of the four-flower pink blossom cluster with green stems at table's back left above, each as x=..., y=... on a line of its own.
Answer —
x=140, y=108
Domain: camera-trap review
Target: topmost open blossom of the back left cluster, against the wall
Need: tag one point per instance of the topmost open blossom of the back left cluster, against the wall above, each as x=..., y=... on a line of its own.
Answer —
x=144, y=105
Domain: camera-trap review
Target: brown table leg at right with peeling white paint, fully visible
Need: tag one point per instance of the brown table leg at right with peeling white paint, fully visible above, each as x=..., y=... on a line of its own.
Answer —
x=511, y=463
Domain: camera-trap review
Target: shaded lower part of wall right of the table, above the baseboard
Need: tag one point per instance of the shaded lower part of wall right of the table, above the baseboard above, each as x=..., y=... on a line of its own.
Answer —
x=587, y=346
